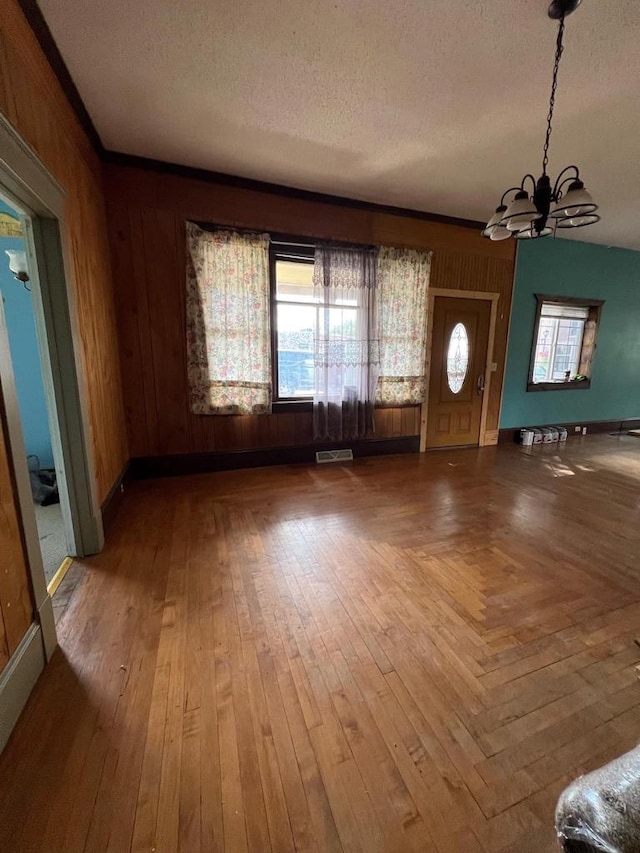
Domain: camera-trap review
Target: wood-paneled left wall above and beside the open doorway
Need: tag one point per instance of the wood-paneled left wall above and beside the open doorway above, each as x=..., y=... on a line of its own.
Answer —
x=33, y=101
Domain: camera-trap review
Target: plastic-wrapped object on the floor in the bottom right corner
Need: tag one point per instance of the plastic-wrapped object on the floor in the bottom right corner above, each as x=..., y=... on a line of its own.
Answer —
x=600, y=812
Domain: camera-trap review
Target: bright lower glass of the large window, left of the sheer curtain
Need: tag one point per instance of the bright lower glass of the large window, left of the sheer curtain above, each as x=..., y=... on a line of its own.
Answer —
x=296, y=328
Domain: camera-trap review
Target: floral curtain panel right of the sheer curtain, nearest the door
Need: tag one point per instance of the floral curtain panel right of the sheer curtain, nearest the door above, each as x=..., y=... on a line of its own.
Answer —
x=403, y=280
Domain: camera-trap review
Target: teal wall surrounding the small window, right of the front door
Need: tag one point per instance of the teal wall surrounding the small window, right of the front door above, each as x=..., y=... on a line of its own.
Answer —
x=568, y=268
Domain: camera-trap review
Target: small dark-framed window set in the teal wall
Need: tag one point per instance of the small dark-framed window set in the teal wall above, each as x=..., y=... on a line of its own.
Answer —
x=563, y=343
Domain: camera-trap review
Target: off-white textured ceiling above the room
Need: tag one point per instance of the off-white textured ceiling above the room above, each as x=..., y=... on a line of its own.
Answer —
x=430, y=104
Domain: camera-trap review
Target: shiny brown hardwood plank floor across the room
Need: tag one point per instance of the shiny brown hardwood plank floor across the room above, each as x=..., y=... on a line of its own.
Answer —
x=401, y=654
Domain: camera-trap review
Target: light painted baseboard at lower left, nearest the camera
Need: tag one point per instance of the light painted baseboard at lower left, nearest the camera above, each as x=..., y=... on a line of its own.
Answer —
x=18, y=680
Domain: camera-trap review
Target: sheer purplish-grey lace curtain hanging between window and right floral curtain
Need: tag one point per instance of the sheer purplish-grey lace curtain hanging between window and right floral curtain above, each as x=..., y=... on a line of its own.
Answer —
x=345, y=343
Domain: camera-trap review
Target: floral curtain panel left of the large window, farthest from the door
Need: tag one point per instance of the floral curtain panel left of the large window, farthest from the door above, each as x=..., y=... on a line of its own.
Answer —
x=228, y=336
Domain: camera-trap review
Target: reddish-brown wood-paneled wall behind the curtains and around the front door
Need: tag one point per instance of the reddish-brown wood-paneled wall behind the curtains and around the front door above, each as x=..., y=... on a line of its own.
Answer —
x=146, y=214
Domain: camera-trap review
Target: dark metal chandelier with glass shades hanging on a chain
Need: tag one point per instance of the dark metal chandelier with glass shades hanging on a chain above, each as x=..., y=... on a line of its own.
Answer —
x=565, y=205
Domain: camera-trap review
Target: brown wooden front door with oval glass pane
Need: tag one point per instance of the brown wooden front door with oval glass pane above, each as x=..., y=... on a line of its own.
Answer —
x=458, y=366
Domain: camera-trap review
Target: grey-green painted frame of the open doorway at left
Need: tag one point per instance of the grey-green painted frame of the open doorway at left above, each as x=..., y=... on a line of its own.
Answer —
x=36, y=194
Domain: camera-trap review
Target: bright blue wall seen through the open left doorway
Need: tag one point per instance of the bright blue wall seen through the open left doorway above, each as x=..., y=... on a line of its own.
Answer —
x=18, y=309
